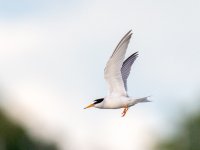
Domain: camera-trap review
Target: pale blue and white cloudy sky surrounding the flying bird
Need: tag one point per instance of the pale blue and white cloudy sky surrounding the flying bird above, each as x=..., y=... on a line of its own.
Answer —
x=53, y=54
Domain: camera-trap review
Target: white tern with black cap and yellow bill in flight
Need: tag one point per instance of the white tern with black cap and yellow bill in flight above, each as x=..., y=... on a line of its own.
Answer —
x=116, y=74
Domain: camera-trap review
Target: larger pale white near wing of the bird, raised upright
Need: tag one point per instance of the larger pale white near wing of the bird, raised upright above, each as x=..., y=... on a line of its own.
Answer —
x=112, y=72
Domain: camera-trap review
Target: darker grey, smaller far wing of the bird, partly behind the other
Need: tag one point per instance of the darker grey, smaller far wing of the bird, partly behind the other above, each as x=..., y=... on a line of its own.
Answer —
x=126, y=67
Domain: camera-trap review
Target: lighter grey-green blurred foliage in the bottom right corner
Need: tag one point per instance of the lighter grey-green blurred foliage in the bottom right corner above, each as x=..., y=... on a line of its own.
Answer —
x=186, y=137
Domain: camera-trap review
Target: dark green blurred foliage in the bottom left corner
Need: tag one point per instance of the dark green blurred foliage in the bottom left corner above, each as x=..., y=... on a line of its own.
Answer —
x=14, y=137
